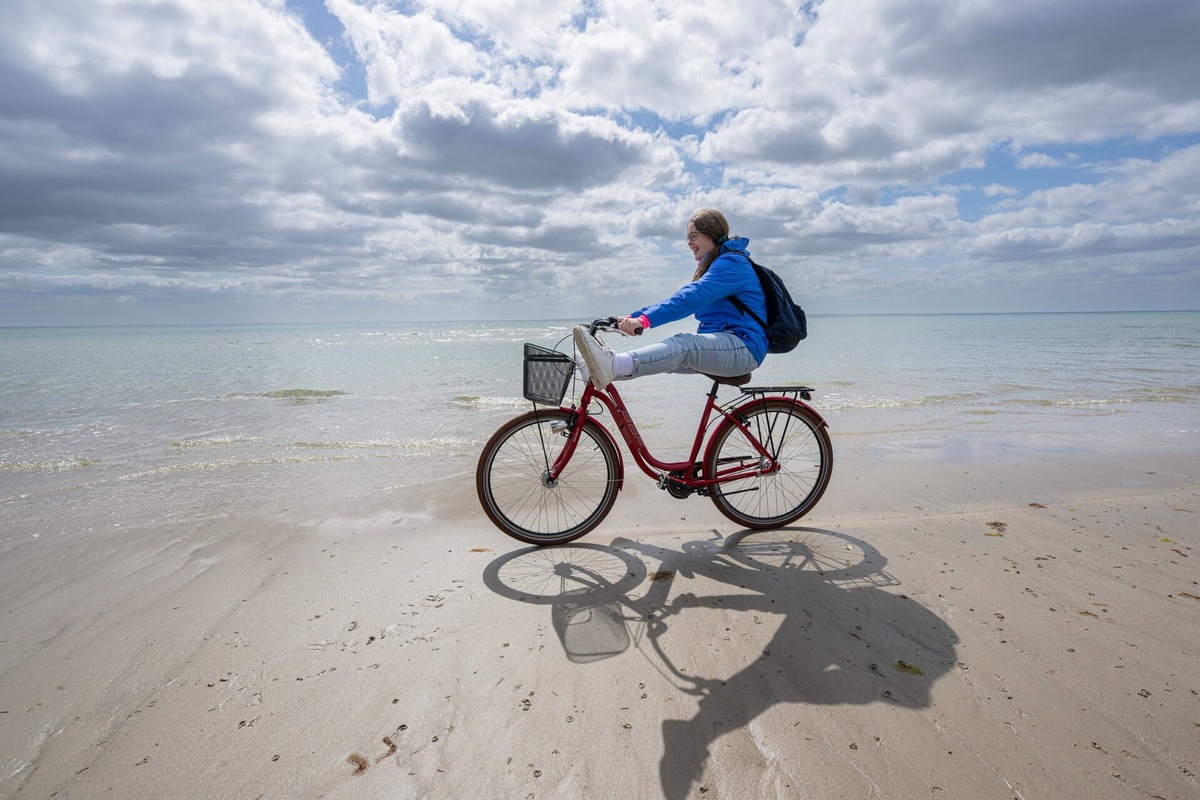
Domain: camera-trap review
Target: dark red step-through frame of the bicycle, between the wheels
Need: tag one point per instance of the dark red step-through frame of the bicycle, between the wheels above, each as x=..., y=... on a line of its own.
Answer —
x=683, y=472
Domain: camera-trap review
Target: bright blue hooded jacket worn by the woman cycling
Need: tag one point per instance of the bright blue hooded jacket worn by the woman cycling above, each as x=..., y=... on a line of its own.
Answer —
x=707, y=299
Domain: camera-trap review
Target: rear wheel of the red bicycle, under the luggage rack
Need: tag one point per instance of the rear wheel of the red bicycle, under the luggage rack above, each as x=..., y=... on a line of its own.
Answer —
x=799, y=442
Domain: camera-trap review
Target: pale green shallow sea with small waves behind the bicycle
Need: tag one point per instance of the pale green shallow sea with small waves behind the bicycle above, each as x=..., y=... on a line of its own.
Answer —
x=107, y=426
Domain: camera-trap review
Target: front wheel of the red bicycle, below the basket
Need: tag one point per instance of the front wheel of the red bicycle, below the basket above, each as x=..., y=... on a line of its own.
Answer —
x=518, y=495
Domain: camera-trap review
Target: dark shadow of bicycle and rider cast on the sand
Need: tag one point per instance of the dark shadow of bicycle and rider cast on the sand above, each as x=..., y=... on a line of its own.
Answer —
x=843, y=639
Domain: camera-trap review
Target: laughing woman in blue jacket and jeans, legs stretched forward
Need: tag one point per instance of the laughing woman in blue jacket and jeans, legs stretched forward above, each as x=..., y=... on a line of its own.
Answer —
x=727, y=344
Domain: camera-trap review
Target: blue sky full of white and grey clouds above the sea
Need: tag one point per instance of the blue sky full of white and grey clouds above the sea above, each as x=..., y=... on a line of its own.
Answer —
x=245, y=161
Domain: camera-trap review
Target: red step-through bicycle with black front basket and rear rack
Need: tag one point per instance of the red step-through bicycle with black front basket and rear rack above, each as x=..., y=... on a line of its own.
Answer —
x=551, y=476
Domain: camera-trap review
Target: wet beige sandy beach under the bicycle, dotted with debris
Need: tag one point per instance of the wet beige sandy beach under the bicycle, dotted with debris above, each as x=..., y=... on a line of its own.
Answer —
x=965, y=630
